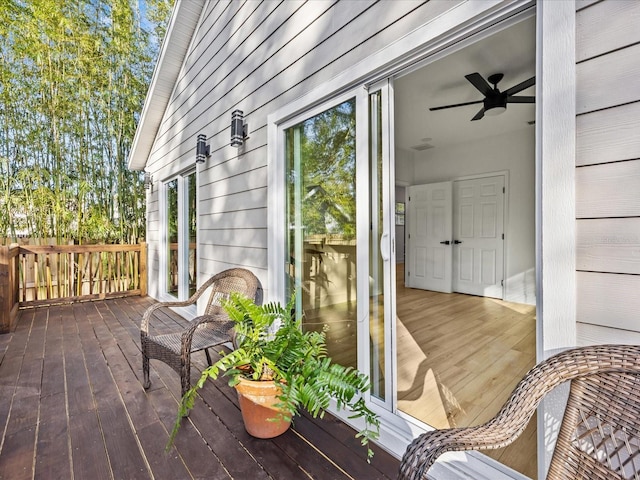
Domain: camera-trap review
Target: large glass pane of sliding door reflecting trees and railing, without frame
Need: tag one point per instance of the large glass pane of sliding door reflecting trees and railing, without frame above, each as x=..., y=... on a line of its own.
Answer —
x=321, y=215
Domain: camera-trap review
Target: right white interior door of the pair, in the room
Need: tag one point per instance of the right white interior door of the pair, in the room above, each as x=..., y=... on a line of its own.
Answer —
x=478, y=233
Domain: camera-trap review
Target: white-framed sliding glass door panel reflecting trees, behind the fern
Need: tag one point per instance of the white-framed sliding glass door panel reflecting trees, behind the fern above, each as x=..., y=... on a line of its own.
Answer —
x=339, y=240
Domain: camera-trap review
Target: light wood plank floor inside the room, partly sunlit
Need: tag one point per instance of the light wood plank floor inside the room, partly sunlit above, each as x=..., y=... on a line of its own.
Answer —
x=459, y=358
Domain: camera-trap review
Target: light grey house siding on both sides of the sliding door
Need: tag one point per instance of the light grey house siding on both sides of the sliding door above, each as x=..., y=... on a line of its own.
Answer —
x=261, y=56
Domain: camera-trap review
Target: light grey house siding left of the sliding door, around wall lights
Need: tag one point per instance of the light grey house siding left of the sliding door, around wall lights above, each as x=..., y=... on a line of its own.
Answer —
x=256, y=57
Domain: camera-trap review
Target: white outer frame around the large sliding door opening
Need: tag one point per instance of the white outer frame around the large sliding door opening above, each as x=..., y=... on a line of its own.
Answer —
x=555, y=166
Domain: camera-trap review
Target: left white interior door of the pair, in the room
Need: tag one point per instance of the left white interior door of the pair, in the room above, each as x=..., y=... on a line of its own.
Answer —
x=430, y=211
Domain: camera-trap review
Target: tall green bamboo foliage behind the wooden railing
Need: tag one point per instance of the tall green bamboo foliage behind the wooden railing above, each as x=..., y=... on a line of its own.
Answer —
x=73, y=77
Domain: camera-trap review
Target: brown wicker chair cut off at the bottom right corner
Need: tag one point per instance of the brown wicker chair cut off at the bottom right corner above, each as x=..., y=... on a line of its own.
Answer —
x=600, y=433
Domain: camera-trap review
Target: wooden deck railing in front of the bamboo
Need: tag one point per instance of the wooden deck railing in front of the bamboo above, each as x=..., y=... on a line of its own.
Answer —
x=33, y=275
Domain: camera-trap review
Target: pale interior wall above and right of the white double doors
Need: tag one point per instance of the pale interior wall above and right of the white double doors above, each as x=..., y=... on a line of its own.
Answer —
x=513, y=152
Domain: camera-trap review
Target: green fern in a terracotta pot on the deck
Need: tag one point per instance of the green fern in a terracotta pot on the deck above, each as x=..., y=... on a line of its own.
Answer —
x=273, y=351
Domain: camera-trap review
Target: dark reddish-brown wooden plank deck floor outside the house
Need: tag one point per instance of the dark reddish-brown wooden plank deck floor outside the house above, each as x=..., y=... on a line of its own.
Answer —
x=72, y=406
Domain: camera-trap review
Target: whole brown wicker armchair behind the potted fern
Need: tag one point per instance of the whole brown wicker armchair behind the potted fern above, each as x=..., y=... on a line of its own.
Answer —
x=206, y=331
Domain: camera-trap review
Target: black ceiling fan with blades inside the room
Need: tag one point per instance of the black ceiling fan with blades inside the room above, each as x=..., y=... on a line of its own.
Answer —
x=495, y=101
